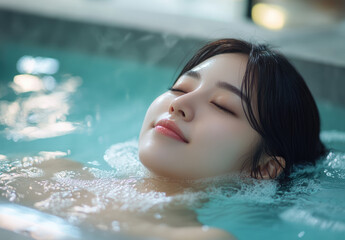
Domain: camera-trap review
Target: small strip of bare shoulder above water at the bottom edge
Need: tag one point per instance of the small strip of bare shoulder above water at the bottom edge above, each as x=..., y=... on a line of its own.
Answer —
x=202, y=233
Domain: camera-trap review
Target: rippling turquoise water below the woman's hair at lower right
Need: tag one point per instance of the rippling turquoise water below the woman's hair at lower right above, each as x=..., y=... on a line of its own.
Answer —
x=312, y=201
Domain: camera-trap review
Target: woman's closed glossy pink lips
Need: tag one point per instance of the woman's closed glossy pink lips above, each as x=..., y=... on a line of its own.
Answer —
x=170, y=129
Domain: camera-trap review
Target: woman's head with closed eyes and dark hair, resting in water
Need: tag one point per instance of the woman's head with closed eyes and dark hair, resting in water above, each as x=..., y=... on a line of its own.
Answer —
x=242, y=105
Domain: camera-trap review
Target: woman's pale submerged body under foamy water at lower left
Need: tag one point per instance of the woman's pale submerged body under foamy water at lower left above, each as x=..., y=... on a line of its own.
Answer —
x=66, y=189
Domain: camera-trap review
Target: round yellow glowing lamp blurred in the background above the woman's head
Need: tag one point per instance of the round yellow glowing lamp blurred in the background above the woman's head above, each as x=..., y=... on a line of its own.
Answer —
x=269, y=16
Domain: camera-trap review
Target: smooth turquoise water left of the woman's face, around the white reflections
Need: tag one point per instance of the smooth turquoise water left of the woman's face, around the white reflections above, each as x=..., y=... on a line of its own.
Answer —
x=107, y=106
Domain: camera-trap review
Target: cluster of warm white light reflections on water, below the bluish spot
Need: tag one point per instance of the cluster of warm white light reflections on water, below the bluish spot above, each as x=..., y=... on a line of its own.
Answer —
x=40, y=113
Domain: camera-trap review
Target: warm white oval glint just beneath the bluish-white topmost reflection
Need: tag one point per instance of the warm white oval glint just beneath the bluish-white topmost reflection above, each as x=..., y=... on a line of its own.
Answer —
x=27, y=83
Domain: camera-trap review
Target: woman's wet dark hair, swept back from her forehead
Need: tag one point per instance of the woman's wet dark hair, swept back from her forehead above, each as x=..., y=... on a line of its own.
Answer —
x=288, y=118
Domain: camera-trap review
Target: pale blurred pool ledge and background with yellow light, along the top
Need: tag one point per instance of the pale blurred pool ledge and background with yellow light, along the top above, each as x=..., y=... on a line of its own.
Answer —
x=311, y=29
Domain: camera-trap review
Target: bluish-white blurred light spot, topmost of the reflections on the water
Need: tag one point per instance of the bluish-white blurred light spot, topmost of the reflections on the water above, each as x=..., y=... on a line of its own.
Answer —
x=37, y=65
